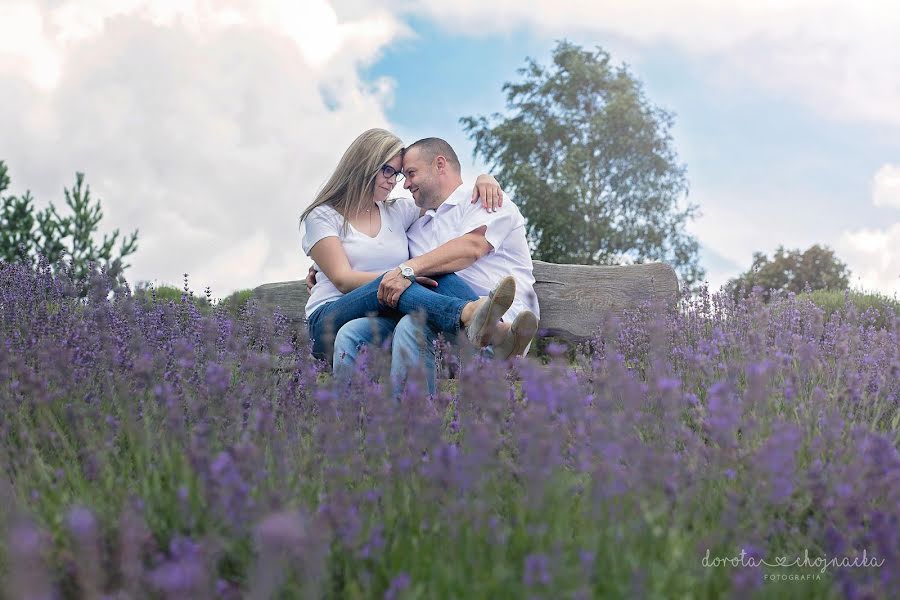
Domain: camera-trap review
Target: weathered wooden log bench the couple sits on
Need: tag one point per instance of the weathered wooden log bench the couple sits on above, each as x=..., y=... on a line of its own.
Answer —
x=574, y=299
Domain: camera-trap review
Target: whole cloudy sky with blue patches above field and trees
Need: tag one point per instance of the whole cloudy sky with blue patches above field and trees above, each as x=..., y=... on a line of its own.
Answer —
x=210, y=124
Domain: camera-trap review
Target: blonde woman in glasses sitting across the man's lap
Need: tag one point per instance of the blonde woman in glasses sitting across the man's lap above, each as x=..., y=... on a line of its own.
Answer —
x=355, y=234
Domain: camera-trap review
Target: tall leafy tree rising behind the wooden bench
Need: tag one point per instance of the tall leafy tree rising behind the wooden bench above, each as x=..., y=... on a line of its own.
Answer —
x=591, y=165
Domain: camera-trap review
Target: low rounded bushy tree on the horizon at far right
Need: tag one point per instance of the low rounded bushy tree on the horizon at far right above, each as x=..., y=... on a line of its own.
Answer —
x=792, y=271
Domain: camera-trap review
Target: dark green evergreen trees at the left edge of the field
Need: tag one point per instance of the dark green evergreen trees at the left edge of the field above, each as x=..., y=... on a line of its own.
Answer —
x=26, y=232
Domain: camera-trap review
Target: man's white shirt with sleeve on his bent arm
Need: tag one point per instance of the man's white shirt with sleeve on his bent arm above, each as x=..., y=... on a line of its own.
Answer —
x=505, y=232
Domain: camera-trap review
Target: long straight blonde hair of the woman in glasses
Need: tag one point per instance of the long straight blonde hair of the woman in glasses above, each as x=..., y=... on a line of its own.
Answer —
x=353, y=180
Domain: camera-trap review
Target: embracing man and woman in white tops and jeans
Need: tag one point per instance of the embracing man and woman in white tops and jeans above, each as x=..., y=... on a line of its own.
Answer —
x=466, y=264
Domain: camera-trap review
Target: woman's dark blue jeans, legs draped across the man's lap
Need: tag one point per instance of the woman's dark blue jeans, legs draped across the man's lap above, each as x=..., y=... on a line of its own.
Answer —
x=443, y=306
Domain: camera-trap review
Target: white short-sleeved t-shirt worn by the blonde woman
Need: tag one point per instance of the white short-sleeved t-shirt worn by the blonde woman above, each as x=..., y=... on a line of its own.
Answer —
x=376, y=254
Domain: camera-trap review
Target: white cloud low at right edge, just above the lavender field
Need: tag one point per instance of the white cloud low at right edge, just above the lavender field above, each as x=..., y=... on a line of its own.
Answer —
x=873, y=256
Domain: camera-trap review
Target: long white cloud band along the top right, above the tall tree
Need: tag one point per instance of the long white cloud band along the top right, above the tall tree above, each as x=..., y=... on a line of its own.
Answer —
x=840, y=58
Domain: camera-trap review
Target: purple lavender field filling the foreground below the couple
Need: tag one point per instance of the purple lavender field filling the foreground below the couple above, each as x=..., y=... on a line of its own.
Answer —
x=150, y=450
